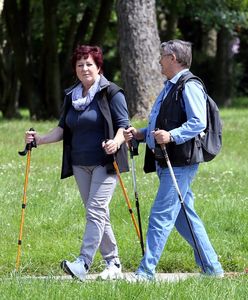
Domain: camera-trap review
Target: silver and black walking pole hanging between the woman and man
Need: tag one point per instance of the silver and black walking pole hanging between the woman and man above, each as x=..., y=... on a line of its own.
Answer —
x=133, y=148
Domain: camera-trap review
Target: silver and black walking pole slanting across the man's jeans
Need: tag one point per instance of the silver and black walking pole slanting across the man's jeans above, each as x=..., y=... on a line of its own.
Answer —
x=165, y=154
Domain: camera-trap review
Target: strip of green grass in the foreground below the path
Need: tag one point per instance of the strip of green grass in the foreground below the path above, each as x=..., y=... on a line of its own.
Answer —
x=204, y=289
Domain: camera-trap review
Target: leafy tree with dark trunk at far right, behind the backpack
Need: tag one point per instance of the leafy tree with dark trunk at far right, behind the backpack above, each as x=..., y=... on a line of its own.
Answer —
x=225, y=17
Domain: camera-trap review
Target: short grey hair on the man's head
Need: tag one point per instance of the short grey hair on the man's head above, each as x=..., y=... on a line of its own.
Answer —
x=181, y=49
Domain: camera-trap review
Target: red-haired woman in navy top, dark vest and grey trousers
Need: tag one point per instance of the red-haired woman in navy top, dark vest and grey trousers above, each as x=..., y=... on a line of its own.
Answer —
x=91, y=127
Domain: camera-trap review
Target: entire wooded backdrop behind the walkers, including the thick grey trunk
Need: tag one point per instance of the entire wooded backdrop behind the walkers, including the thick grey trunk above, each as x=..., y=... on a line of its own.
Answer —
x=37, y=39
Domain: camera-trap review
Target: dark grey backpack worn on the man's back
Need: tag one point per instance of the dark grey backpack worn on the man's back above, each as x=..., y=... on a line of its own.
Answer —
x=211, y=137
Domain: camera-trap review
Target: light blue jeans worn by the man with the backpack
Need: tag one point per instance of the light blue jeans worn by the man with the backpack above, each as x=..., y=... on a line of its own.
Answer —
x=167, y=212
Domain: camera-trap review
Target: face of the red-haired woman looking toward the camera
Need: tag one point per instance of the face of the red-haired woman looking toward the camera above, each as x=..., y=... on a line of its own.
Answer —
x=87, y=71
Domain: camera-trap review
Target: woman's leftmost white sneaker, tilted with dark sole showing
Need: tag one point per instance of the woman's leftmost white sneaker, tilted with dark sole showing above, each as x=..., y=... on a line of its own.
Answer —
x=75, y=269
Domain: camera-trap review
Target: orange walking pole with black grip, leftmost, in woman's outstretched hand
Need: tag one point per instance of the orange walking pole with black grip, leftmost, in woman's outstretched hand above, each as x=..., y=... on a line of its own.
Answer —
x=27, y=151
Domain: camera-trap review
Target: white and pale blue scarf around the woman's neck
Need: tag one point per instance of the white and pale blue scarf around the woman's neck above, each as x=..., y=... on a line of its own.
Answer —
x=78, y=101
